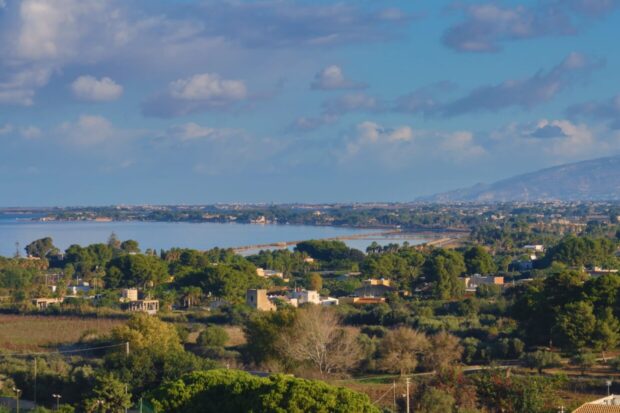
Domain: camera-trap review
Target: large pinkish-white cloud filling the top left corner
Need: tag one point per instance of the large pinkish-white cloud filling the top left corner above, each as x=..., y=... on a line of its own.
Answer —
x=40, y=37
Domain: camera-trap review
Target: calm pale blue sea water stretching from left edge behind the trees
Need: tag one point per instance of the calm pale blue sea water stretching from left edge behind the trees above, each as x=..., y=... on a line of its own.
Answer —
x=158, y=235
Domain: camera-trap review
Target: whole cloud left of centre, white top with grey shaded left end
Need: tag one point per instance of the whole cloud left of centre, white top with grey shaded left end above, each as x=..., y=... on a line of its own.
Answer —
x=201, y=92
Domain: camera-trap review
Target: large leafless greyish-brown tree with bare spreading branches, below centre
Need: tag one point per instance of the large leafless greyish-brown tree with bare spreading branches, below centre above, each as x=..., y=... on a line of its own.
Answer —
x=318, y=339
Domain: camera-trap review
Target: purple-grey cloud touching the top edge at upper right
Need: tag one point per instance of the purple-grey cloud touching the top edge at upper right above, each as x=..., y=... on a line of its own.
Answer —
x=487, y=26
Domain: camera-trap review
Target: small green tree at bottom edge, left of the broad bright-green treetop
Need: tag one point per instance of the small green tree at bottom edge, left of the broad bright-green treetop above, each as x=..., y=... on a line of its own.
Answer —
x=109, y=395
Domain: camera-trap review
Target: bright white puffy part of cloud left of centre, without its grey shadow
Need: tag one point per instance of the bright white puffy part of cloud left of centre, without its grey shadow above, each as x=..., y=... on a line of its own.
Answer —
x=208, y=87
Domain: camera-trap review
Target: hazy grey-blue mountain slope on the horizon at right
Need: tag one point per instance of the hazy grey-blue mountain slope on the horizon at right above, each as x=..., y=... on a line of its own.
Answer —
x=596, y=179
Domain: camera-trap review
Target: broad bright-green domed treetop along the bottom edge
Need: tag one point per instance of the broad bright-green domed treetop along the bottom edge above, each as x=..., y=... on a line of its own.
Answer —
x=231, y=391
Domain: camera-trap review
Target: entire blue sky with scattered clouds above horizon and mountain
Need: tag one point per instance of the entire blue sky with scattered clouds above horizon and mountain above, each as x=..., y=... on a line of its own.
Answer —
x=192, y=102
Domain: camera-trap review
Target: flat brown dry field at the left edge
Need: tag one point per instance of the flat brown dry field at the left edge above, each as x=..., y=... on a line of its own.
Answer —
x=40, y=333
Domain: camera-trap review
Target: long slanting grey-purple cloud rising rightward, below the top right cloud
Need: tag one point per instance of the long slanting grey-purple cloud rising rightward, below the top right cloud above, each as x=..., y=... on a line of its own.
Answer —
x=525, y=93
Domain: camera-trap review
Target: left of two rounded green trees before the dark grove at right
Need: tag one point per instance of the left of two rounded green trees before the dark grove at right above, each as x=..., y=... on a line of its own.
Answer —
x=576, y=325
